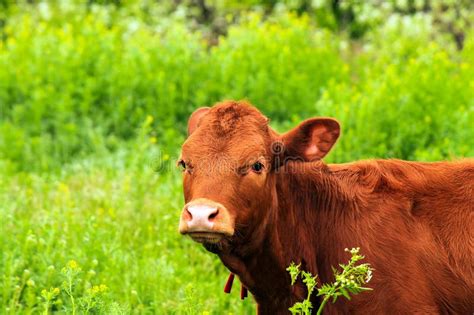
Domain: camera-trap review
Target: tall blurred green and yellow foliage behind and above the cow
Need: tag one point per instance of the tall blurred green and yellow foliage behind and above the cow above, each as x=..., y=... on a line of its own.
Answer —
x=78, y=78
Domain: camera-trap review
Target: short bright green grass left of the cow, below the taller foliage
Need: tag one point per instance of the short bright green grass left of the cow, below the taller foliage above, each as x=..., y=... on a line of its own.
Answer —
x=117, y=218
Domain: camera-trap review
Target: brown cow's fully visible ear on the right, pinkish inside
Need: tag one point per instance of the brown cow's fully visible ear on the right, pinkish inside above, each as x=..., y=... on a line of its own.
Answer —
x=312, y=139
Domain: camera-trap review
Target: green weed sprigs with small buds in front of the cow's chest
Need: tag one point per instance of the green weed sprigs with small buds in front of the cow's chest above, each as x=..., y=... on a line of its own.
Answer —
x=350, y=280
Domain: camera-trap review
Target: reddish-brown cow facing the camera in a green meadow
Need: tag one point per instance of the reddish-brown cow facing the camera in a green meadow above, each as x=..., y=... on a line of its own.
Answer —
x=261, y=200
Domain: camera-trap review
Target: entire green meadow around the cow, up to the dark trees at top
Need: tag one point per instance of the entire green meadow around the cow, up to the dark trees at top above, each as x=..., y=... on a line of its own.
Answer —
x=93, y=108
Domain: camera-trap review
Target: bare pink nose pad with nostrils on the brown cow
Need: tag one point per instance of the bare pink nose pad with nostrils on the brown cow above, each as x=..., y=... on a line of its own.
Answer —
x=200, y=217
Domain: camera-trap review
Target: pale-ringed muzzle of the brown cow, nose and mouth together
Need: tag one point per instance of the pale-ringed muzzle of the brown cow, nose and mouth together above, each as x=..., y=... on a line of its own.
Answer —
x=206, y=221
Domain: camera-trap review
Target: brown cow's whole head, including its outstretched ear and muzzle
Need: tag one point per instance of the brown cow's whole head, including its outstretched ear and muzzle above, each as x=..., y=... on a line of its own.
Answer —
x=229, y=164
